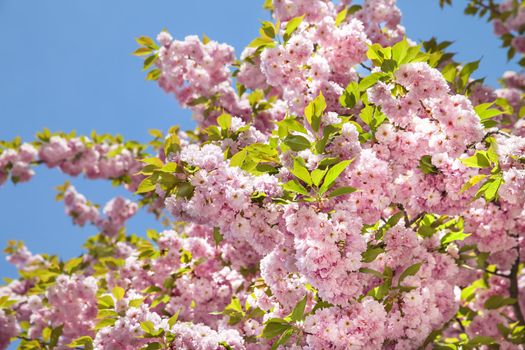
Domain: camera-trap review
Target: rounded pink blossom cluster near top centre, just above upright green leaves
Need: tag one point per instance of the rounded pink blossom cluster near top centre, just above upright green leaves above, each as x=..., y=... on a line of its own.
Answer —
x=337, y=49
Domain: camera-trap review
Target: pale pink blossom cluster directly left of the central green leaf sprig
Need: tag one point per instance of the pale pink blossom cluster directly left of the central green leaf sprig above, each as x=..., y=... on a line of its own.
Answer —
x=222, y=198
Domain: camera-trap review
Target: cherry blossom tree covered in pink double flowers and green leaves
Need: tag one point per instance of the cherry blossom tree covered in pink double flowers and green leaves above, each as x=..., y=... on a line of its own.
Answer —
x=346, y=188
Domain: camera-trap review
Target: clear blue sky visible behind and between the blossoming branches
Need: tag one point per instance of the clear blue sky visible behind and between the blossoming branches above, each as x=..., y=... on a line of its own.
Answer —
x=67, y=65
